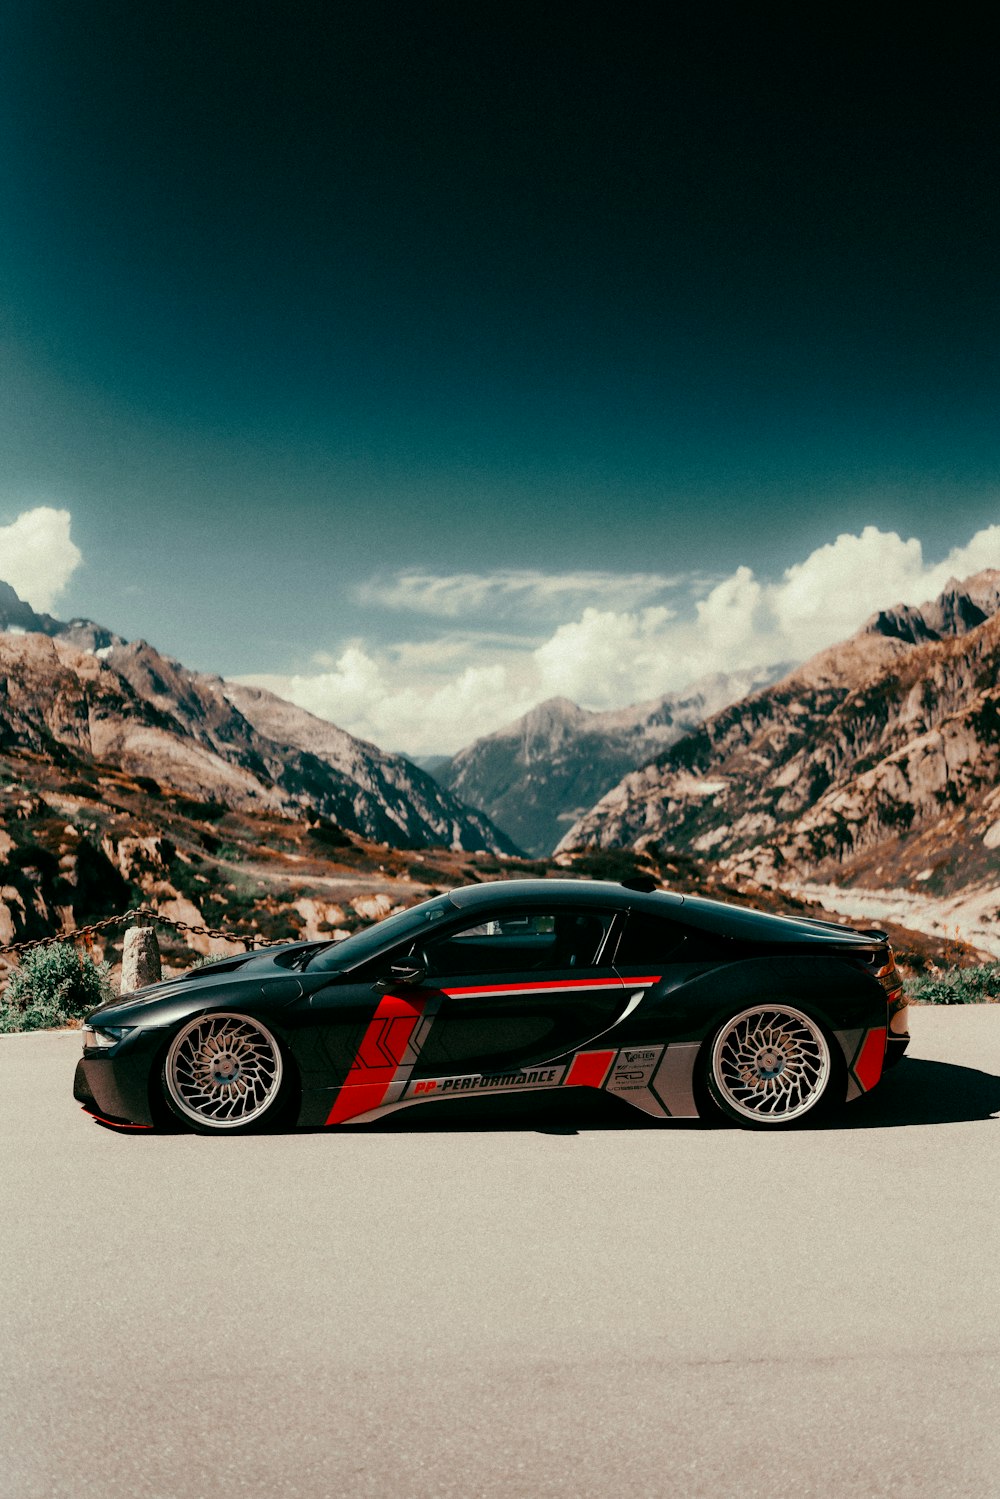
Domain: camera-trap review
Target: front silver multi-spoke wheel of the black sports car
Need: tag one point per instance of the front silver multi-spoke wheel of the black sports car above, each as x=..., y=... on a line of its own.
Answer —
x=224, y=1071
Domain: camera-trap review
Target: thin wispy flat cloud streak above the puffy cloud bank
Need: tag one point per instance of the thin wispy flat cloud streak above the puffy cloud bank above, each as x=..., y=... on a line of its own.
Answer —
x=460, y=596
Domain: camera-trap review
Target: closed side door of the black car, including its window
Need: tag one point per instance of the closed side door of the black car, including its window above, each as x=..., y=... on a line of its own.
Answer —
x=518, y=990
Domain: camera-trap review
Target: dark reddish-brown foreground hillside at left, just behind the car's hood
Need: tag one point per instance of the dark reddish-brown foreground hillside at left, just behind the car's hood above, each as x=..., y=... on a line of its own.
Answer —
x=85, y=842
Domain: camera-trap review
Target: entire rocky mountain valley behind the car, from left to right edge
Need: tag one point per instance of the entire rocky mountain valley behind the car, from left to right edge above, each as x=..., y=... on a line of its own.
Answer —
x=861, y=785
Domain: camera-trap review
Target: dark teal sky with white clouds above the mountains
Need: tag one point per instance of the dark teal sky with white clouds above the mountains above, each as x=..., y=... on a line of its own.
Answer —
x=424, y=344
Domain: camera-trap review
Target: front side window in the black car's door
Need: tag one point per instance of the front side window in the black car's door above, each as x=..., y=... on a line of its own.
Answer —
x=521, y=942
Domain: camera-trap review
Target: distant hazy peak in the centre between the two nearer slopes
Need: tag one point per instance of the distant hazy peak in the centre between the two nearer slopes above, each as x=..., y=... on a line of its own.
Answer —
x=542, y=773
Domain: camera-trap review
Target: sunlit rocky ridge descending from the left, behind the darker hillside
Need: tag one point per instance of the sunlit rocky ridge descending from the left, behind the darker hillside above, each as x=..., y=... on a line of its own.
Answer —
x=77, y=693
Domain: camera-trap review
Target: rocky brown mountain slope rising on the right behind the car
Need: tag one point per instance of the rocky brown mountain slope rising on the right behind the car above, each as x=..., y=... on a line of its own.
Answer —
x=878, y=761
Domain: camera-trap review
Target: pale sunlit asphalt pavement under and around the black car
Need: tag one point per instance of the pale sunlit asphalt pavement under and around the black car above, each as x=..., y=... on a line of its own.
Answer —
x=546, y=1302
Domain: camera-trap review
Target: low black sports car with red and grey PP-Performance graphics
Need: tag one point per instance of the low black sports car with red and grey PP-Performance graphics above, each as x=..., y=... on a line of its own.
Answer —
x=671, y=1002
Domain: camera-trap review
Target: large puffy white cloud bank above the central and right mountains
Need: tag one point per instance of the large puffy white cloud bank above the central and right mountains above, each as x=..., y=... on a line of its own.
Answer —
x=621, y=647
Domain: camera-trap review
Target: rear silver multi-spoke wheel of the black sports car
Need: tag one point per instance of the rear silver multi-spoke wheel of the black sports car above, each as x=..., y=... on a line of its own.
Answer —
x=771, y=1064
